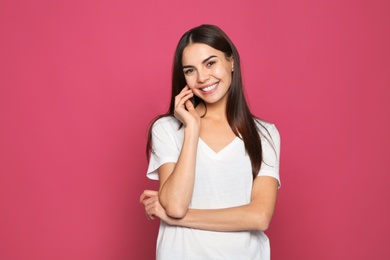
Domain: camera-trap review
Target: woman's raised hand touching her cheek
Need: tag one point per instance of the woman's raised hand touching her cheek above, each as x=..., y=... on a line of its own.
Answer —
x=185, y=110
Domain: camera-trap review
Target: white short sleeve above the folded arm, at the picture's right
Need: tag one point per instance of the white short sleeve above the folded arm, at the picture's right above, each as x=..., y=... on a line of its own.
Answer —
x=270, y=142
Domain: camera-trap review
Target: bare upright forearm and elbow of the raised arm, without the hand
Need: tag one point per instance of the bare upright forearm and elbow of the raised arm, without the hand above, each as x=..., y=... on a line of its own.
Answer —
x=176, y=191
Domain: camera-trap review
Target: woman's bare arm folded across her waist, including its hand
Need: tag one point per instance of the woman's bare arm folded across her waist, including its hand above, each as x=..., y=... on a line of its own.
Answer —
x=255, y=215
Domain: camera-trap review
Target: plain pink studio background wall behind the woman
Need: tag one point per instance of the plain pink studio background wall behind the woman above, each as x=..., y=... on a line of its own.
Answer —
x=80, y=80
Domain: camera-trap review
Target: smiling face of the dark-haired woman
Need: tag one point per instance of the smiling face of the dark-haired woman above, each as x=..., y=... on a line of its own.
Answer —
x=207, y=71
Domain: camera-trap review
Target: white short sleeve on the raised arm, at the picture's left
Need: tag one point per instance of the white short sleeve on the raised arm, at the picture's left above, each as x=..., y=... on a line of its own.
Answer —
x=164, y=145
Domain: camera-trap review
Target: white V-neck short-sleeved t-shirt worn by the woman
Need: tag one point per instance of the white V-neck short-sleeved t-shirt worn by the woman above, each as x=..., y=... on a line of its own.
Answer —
x=222, y=180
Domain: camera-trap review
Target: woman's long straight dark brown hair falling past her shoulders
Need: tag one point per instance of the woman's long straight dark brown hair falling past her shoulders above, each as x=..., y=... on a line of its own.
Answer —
x=239, y=117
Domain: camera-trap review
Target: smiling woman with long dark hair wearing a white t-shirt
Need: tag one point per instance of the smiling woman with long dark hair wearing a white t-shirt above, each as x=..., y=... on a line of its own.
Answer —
x=217, y=164
